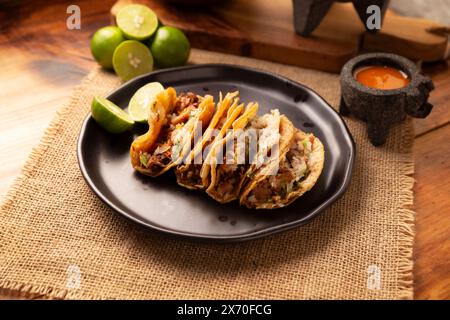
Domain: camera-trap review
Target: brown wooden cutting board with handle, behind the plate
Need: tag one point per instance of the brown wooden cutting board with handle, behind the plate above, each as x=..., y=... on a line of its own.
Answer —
x=264, y=29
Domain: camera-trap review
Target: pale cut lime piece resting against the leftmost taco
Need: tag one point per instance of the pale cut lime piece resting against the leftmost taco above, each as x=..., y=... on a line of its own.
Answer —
x=142, y=100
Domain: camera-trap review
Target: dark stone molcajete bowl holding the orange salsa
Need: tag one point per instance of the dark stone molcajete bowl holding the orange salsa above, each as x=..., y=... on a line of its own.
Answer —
x=382, y=108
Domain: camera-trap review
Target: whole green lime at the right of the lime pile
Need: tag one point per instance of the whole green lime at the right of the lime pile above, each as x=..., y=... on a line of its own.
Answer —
x=170, y=47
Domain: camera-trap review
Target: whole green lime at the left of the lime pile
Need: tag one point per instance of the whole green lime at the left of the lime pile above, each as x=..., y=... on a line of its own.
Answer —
x=103, y=43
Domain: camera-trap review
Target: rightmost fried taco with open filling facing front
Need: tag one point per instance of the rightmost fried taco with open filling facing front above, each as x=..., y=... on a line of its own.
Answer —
x=296, y=173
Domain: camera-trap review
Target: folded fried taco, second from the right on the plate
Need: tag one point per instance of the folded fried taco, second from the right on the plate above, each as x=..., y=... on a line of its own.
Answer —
x=234, y=159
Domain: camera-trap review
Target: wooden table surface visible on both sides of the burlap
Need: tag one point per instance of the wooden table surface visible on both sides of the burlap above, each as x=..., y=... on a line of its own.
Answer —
x=42, y=61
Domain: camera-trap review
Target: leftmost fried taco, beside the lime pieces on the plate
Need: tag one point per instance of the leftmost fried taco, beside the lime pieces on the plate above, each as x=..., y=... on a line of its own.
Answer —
x=172, y=122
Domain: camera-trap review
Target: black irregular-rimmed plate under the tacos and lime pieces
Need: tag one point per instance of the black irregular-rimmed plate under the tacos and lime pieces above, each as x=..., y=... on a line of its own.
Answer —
x=163, y=205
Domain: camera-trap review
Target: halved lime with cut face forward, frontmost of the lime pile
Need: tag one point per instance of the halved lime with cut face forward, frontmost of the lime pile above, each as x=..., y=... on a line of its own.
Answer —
x=131, y=59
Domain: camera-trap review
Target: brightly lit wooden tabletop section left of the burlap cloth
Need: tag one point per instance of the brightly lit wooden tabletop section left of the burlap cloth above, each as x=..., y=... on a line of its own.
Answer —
x=41, y=63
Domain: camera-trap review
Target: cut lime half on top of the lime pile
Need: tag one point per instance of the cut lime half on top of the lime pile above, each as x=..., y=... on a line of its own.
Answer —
x=137, y=21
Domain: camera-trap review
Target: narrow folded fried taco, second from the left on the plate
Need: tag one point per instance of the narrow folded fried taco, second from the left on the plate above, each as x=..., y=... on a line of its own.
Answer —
x=228, y=109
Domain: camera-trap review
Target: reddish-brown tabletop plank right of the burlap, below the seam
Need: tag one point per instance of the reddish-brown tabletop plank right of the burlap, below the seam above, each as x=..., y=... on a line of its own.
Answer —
x=432, y=192
